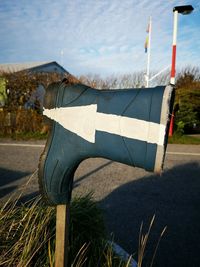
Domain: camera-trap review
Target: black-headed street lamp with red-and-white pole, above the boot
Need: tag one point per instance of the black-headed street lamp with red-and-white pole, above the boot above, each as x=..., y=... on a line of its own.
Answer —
x=184, y=10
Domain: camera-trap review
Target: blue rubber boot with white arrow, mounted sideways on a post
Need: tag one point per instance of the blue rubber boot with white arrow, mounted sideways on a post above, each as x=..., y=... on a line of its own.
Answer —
x=128, y=126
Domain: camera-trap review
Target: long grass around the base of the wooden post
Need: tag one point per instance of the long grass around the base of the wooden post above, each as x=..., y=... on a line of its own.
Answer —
x=27, y=235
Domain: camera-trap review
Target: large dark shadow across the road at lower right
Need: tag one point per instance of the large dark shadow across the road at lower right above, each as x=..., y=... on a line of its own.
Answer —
x=174, y=198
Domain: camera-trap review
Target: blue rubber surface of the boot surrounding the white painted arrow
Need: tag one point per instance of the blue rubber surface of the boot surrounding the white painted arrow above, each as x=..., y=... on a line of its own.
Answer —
x=65, y=150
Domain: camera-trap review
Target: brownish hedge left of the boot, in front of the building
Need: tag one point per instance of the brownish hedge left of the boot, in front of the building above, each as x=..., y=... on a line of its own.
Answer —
x=15, y=119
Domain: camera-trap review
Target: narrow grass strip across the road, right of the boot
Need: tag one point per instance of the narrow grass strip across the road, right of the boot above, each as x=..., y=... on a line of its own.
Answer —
x=184, y=139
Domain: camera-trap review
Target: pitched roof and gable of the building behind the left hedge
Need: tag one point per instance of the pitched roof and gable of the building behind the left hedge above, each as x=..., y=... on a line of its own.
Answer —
x=51, y=66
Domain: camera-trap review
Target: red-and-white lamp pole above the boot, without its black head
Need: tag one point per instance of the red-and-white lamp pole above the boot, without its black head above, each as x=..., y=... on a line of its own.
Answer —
x=173, y=66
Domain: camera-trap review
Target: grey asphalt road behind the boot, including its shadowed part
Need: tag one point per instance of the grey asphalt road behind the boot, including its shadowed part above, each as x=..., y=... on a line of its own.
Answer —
x=129, y=196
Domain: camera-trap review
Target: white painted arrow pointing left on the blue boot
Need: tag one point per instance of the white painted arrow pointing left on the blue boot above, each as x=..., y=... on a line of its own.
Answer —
x=85, y=120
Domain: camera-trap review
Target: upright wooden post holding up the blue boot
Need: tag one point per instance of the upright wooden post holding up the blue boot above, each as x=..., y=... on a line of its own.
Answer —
x=62, y=236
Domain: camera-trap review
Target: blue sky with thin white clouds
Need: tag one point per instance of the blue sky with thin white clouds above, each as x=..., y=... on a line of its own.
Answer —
x=97, y=36
